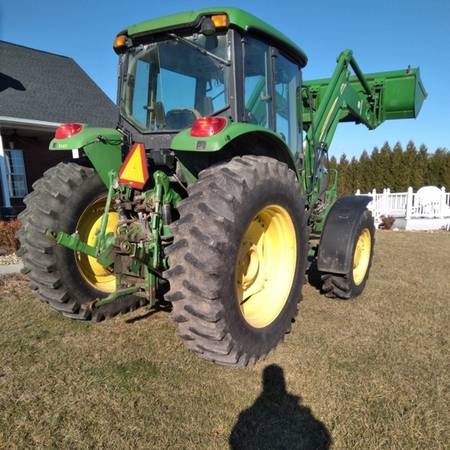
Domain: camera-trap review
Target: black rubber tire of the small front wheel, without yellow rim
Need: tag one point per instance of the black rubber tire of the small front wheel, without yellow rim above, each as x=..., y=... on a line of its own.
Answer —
x=343, y=286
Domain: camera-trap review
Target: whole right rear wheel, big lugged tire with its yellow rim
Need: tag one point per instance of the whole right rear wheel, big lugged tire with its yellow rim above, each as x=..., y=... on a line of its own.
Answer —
x=238, y=260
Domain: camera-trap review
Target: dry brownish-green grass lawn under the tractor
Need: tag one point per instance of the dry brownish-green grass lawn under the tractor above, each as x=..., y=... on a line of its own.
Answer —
x=366, y=374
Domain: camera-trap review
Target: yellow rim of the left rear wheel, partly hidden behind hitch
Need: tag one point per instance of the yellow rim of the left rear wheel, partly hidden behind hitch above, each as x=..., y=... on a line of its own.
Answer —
x=94, y=273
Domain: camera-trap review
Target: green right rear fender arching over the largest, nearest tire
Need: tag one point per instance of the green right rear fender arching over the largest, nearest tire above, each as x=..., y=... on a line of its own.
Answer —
x=234, y=131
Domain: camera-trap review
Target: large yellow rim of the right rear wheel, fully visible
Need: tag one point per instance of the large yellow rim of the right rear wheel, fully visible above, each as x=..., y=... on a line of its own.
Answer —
x=266, y=266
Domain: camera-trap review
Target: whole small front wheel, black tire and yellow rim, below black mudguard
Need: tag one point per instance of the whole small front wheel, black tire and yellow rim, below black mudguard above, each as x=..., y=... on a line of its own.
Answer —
x=352, y=284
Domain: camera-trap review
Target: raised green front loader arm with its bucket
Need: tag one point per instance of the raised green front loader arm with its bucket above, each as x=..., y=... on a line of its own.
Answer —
x=369, y=99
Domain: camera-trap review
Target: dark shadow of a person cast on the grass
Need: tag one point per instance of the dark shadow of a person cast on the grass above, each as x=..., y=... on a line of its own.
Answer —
x=278, y=420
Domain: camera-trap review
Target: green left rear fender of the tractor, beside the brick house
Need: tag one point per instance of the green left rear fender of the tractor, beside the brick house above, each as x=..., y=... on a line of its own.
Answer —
x=103, y=147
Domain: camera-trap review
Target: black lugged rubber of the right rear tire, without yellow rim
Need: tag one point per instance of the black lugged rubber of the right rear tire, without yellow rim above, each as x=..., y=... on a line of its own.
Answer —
x=203, y=258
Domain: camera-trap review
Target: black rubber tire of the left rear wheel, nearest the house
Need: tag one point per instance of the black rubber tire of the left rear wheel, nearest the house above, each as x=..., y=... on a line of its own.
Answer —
x=56, y=203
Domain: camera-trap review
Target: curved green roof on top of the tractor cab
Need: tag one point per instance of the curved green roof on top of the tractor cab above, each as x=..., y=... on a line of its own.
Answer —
x=238, y=19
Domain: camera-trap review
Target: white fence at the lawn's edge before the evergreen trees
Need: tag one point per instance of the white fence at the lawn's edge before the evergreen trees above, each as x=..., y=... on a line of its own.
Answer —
x=428, y=202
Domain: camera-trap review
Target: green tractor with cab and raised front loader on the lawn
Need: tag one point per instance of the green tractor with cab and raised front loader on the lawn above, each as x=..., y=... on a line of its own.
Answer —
x=213, y=192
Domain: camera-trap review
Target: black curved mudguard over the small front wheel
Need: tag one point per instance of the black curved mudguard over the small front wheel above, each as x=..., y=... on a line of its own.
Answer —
x=335, y=253
